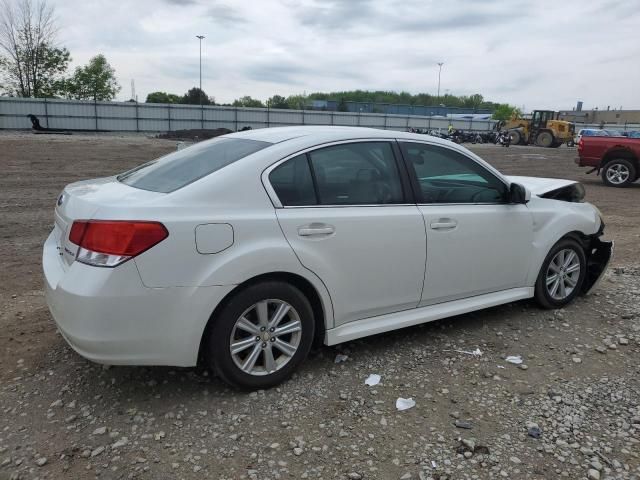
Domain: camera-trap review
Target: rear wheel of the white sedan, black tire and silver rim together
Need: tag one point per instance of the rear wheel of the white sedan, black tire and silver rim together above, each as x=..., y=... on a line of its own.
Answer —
x=257, y=346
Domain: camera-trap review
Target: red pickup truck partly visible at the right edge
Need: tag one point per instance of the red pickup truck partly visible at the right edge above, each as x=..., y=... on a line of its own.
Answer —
x=617, y=159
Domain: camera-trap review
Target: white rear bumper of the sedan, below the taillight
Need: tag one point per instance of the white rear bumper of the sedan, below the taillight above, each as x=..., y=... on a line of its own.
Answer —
x=108, y=316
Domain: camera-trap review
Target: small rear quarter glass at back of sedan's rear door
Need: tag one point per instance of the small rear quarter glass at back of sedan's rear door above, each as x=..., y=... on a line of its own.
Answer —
x=293, y=183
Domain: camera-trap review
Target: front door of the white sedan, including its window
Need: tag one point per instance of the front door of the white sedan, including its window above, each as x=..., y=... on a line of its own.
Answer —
x=477, y=242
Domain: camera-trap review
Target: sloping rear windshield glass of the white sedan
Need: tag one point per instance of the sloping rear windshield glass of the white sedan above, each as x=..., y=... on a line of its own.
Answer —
x=180, y=168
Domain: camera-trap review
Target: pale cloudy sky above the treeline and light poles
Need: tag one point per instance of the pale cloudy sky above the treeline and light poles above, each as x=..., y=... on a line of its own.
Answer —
x=542, y=54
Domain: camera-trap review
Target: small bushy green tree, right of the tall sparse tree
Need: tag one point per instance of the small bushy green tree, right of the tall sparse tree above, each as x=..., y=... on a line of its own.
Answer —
x=94, y=81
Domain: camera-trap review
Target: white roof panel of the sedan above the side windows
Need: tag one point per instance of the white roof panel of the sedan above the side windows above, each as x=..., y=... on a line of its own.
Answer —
x=329, y=133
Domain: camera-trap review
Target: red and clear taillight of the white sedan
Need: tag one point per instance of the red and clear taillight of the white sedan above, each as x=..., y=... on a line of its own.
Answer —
x=106, y=243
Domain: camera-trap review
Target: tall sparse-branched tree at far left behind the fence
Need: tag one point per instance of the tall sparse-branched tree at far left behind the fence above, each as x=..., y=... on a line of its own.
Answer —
x=30, y=63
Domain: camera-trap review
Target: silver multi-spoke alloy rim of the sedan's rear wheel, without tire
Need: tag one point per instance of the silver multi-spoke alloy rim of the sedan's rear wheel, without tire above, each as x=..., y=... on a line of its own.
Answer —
x=265, y=337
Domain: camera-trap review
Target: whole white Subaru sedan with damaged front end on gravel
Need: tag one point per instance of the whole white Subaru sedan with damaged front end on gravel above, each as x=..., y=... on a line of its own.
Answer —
x=243, y=251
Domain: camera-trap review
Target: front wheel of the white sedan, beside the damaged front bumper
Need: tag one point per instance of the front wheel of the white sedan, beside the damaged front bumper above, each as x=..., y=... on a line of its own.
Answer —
x=566, y=258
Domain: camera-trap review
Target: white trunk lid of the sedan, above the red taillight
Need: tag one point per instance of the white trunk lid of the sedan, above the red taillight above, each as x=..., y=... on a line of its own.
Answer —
x=81, y=201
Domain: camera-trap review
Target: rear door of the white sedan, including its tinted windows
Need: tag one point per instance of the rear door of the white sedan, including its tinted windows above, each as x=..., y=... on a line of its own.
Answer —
x=345, y=214
